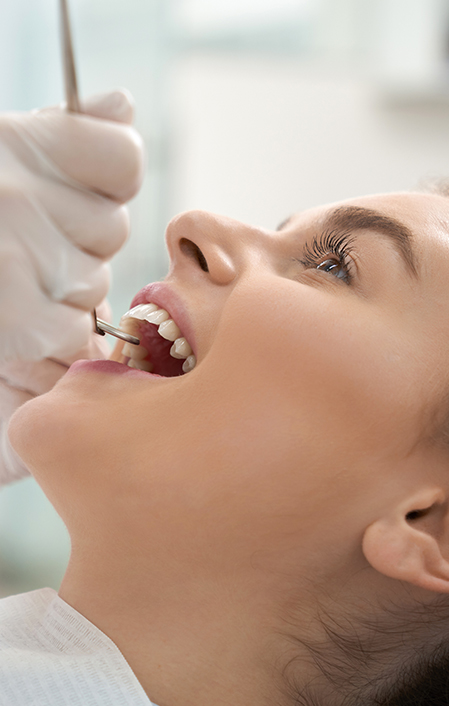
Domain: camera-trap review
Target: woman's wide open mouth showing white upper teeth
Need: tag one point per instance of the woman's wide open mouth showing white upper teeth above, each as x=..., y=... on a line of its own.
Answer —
x=163, y=350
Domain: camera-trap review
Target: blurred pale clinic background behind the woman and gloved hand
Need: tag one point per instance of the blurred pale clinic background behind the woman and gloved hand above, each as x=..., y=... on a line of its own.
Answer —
x=251, y=108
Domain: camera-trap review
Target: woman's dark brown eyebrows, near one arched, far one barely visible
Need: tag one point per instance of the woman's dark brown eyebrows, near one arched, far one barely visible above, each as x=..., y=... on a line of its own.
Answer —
x=351, y=218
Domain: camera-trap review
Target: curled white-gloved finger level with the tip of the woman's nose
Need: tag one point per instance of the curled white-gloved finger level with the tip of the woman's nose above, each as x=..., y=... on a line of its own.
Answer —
x=92, y=222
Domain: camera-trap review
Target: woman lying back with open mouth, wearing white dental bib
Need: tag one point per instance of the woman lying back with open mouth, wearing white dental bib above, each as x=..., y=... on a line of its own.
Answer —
x=269, y=525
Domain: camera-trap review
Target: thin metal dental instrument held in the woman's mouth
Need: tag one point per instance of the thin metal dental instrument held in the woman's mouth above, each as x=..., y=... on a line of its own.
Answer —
x=73, y=105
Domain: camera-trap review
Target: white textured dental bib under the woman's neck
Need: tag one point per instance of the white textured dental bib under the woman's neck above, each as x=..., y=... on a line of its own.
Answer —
x=50, y=655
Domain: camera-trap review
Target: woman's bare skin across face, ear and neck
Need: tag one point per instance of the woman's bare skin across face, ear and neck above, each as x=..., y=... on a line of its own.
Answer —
x=207, y=510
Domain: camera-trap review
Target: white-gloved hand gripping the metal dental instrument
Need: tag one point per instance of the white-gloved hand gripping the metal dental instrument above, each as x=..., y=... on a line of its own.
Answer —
x=63, y=181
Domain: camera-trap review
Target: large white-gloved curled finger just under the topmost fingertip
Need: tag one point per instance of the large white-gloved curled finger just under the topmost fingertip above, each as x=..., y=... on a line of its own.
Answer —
x=102, y=155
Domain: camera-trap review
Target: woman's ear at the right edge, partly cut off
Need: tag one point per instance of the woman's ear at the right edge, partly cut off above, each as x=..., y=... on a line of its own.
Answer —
x=412, y=543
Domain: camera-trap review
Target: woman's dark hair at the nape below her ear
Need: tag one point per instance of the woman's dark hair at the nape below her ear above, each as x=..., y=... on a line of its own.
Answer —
x=397, y=657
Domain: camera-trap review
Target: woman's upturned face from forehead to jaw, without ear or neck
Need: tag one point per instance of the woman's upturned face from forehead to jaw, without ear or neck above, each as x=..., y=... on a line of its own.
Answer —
x=321, y=351
